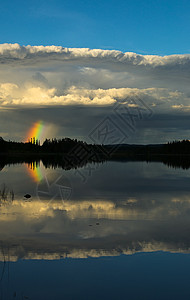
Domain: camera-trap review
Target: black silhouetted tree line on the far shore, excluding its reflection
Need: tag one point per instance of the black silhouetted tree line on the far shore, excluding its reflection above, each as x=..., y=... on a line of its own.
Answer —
x=75, y=147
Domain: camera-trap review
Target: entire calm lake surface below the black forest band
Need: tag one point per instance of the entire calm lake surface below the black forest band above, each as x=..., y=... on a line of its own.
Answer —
x=110, y=231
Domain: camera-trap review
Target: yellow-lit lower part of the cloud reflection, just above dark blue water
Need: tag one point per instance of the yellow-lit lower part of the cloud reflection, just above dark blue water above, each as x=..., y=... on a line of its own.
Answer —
x=34, y=229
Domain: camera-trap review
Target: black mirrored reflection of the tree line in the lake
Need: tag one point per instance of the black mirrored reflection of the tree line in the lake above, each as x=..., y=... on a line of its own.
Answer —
x=70, y=161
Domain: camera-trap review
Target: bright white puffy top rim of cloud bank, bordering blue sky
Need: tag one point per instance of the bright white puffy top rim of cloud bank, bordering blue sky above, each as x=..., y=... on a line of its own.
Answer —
x=16, y=51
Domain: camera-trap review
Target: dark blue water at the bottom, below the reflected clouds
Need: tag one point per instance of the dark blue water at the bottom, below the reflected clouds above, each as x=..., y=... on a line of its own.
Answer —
x=140, y=276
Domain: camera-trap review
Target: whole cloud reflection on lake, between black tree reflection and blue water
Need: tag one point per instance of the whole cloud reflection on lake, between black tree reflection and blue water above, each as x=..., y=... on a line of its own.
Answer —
x=123, y=208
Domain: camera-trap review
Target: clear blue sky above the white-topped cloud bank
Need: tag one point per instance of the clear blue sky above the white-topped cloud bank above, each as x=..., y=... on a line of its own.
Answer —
x=148, y=27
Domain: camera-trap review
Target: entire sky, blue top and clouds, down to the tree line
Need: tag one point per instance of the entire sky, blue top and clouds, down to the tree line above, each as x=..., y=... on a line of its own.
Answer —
x=84, y=67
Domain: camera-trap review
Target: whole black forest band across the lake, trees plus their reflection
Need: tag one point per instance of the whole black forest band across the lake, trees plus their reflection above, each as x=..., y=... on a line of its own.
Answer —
x=69, y=153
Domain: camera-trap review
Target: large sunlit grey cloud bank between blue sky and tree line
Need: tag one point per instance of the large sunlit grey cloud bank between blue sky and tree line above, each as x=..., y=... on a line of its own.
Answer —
x=58, y=80
